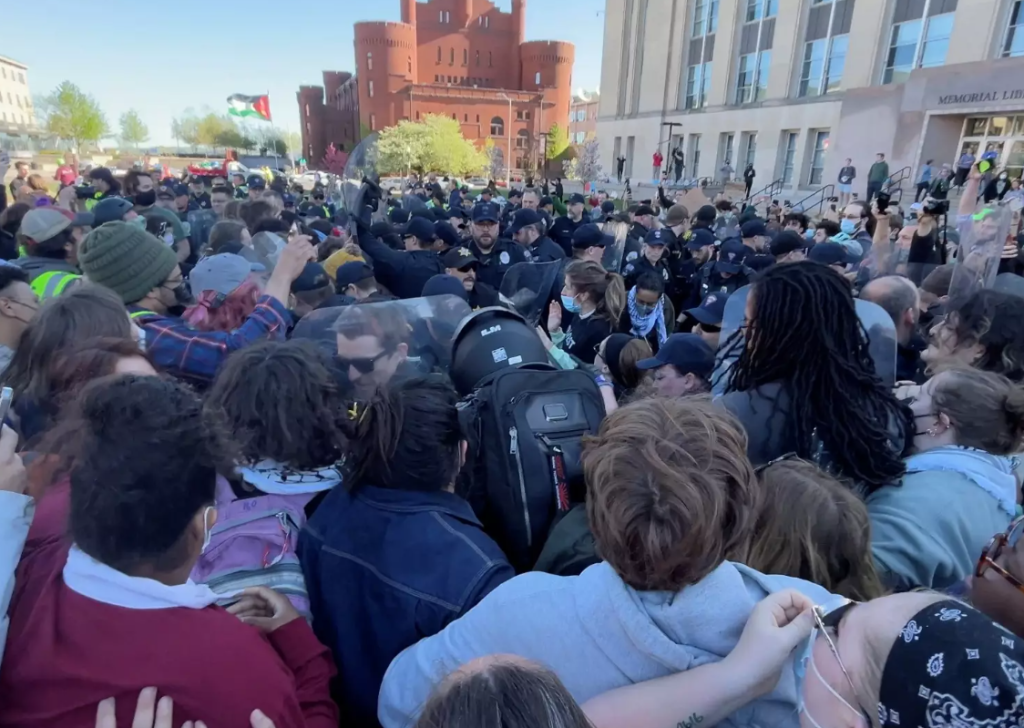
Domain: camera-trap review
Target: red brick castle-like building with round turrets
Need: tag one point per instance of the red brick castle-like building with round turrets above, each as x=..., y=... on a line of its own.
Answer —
x=460, y=58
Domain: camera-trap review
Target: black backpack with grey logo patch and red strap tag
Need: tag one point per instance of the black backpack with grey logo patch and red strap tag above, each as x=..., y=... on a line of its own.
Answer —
x=525, y=429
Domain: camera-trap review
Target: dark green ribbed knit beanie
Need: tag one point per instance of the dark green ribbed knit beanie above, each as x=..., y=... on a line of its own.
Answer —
x=126, y=260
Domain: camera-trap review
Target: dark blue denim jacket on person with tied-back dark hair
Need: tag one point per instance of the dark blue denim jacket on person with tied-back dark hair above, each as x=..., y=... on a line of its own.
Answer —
x=385, y=570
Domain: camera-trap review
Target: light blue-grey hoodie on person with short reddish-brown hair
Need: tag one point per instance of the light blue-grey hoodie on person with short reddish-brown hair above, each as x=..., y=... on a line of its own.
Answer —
x=599, y=634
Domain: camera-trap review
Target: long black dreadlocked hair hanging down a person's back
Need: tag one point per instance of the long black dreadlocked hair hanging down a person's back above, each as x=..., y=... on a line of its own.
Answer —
x=805, y=335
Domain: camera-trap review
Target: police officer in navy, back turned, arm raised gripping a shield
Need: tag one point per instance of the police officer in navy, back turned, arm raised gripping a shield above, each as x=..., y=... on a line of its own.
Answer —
x=404, y=273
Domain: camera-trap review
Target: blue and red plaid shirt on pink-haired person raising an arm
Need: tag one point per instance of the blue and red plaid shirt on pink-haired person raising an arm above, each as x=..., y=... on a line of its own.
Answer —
x=186, y=353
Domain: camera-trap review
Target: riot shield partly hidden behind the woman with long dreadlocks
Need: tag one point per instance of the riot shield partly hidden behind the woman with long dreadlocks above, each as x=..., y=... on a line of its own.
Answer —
x=879, y=326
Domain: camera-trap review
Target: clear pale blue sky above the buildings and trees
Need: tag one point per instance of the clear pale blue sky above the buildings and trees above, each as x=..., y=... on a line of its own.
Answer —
x=161, y=59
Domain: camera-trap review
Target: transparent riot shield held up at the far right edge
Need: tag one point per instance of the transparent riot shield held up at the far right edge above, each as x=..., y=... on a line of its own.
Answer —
x=979, y=253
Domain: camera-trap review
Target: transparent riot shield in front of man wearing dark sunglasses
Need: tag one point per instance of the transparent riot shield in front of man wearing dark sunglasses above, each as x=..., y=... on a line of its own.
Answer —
x=371, y=344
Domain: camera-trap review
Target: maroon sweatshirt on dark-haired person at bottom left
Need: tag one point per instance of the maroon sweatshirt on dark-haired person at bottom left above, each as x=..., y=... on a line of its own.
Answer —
x=67, y=653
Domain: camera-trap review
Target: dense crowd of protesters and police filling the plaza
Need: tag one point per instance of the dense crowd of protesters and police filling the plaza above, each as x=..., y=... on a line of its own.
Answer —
x=233, y=472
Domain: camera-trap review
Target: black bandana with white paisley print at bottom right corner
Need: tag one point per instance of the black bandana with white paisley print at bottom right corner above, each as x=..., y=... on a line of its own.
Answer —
x=952, y=666
